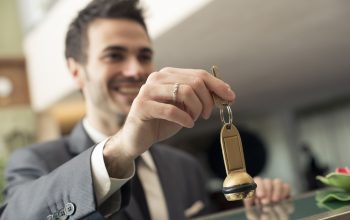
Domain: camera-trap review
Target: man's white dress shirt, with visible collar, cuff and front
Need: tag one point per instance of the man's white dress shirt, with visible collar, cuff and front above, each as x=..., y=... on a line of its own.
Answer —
x=105, y=186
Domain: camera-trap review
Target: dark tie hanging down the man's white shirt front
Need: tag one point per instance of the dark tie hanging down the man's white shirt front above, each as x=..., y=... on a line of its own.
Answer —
x=139, y=194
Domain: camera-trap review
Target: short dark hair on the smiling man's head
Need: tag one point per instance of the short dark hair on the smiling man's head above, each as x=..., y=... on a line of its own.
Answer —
x=76, y=38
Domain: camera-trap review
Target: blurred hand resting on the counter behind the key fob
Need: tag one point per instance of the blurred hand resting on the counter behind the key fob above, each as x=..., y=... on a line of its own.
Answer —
x=268, y=191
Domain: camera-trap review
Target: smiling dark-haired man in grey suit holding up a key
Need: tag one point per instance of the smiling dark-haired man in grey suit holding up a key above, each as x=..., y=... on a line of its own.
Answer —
x=109, y=55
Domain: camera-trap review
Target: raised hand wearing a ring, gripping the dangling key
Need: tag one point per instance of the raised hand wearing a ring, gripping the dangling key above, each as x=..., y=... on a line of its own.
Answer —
x=154, y=116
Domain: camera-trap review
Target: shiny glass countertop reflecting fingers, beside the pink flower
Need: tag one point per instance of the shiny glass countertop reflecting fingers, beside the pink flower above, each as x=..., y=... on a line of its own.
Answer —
x=296, y=208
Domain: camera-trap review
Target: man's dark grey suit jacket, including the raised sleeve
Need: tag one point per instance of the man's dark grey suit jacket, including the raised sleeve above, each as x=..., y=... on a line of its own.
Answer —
x=43, y=178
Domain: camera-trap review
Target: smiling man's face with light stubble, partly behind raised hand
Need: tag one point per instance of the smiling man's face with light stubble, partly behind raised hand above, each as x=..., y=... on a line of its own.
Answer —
x=119, y=59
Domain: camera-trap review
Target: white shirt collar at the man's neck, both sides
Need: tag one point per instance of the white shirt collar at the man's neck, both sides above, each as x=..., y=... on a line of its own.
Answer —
x=97, y=136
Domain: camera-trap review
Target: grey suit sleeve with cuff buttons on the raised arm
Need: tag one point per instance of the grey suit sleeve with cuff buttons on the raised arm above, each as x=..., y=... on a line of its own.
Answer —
x=34, y=193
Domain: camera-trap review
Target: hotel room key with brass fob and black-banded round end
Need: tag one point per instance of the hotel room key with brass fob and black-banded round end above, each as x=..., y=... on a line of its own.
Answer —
x=238, y=184
